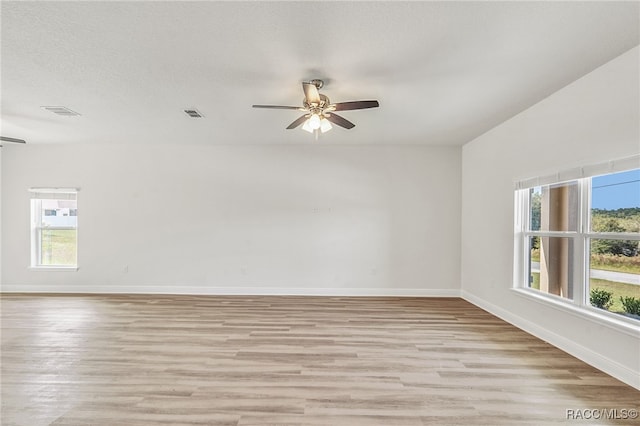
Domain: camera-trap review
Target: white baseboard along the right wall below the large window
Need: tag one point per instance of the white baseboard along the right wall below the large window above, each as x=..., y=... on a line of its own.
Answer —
x=613, y=368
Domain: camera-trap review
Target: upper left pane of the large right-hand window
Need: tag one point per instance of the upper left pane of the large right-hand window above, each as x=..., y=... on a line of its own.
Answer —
x=554, y=207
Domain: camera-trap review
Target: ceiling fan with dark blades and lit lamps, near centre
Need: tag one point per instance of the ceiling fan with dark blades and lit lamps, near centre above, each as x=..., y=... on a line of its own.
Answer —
x=319, y=112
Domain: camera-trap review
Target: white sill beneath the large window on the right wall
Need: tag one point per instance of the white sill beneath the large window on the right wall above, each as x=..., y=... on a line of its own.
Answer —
x=614, y=321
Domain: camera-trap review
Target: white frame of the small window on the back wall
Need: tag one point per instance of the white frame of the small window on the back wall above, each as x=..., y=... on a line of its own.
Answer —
x=36, y=197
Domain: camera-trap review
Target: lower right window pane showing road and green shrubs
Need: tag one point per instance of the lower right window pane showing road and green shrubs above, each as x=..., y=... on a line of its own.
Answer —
x=614, y=277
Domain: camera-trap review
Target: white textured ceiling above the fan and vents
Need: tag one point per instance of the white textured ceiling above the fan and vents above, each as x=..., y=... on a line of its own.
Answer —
x=444, y=72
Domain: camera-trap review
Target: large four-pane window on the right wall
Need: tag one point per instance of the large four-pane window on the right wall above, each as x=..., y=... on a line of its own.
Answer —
x=578, y=240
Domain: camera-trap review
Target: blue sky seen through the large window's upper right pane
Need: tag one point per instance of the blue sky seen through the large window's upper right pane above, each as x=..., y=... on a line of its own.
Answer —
x=616, y=191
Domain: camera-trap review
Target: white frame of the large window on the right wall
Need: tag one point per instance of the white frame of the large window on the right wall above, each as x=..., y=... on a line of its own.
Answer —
x=582, y=238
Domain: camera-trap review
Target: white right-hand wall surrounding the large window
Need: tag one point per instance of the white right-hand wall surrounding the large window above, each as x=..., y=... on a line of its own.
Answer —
x=594, y=119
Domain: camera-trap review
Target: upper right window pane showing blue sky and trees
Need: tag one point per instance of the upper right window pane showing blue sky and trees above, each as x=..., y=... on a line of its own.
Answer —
x=615, y=202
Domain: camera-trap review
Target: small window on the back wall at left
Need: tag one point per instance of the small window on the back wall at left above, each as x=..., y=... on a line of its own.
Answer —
x=54, y=228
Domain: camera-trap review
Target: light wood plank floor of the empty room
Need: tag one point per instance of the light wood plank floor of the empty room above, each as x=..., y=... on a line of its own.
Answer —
x=185, y=360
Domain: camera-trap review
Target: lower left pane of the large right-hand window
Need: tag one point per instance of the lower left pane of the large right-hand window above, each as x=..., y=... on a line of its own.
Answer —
x=551, y=265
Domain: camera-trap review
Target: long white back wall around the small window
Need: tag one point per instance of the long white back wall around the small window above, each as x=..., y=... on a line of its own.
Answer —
x=306, y=219
